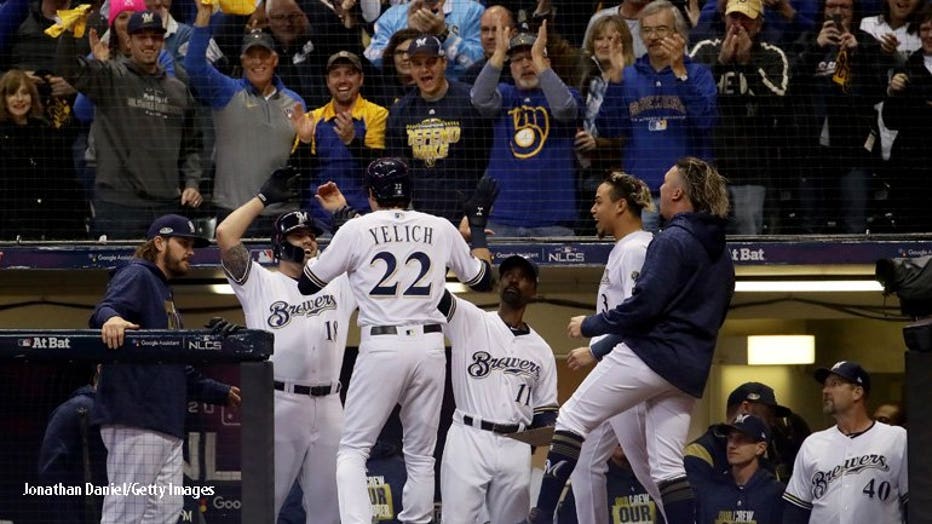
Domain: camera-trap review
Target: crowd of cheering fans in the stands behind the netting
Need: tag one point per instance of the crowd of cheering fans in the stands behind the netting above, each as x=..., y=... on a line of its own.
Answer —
x=813, y=110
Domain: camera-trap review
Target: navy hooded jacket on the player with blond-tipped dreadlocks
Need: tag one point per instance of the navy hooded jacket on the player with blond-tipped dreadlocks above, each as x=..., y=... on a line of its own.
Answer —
x=679, y=302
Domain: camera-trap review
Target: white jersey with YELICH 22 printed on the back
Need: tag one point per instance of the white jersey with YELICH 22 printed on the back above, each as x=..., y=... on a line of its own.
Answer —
x=394, y=254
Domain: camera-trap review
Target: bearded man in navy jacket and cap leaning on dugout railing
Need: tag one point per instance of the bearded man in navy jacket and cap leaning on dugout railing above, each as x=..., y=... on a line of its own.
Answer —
x=140, y=408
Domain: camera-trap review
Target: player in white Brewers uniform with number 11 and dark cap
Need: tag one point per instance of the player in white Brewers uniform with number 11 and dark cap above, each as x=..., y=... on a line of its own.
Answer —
x=504, y=380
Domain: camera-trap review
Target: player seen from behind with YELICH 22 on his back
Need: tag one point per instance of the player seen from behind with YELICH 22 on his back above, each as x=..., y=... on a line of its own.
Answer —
x=396, y=260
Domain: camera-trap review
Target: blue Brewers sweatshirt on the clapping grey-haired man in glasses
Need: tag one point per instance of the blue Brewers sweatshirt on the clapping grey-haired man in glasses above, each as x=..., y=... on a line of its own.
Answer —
x=661, y=118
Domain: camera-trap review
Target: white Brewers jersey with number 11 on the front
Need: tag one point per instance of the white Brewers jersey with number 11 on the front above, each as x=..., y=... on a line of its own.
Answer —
x=497, y=375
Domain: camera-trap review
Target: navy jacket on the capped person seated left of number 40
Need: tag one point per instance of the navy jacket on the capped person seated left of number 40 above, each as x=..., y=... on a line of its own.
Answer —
x=759, y=501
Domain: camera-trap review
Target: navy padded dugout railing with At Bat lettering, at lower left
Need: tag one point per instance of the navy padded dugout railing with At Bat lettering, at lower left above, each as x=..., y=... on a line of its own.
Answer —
x=35, y=363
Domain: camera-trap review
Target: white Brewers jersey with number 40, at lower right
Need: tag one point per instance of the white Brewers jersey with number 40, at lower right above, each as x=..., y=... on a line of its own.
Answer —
x=846, y=480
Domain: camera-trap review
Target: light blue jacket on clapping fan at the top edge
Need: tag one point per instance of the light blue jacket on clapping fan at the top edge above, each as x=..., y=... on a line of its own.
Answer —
x=462, y=47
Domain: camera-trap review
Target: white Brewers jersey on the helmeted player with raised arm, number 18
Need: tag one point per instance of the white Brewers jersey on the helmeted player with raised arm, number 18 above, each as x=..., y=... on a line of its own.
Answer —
x=310, y=331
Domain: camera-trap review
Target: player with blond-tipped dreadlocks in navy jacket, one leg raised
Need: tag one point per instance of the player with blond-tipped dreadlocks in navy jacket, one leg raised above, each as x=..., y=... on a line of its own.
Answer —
x=669, y=326
